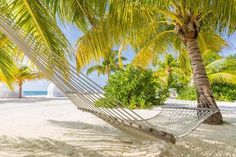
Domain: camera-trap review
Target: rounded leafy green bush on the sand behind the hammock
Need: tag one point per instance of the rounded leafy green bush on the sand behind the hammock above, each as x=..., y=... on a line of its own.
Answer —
x=135, y=88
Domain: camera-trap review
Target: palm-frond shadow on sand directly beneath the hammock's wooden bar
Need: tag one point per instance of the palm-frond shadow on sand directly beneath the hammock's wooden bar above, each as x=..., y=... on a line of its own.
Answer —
x=95, y=133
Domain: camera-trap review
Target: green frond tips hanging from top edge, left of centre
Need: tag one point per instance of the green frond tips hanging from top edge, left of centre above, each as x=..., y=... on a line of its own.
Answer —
x=83, y=13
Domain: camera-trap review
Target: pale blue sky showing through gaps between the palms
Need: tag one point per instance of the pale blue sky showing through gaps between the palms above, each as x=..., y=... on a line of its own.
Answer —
x=73, y=34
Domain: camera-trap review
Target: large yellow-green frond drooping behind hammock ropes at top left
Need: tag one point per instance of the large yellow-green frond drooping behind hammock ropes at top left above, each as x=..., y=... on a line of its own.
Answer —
x=37, y=20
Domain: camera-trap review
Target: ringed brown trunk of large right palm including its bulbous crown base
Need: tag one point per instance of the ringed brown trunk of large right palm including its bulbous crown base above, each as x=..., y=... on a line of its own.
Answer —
x=189, y=35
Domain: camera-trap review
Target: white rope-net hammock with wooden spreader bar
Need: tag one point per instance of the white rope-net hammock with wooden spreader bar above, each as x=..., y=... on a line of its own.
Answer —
x=174, y=120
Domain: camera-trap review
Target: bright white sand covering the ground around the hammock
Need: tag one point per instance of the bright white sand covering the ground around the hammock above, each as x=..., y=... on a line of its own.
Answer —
x=54, y=127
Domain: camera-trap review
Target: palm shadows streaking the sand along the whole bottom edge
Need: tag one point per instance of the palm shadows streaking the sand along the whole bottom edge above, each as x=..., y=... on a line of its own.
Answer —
x=83, y=139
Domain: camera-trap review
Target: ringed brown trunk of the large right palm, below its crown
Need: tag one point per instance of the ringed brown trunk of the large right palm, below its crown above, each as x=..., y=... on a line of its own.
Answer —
x=205, y=94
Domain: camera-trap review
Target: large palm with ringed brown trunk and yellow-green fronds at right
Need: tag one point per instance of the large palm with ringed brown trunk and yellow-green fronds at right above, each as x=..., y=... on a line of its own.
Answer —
x=168, y=21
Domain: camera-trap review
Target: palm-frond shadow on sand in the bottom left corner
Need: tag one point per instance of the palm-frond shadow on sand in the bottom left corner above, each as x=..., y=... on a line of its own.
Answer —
x=43, y=147
